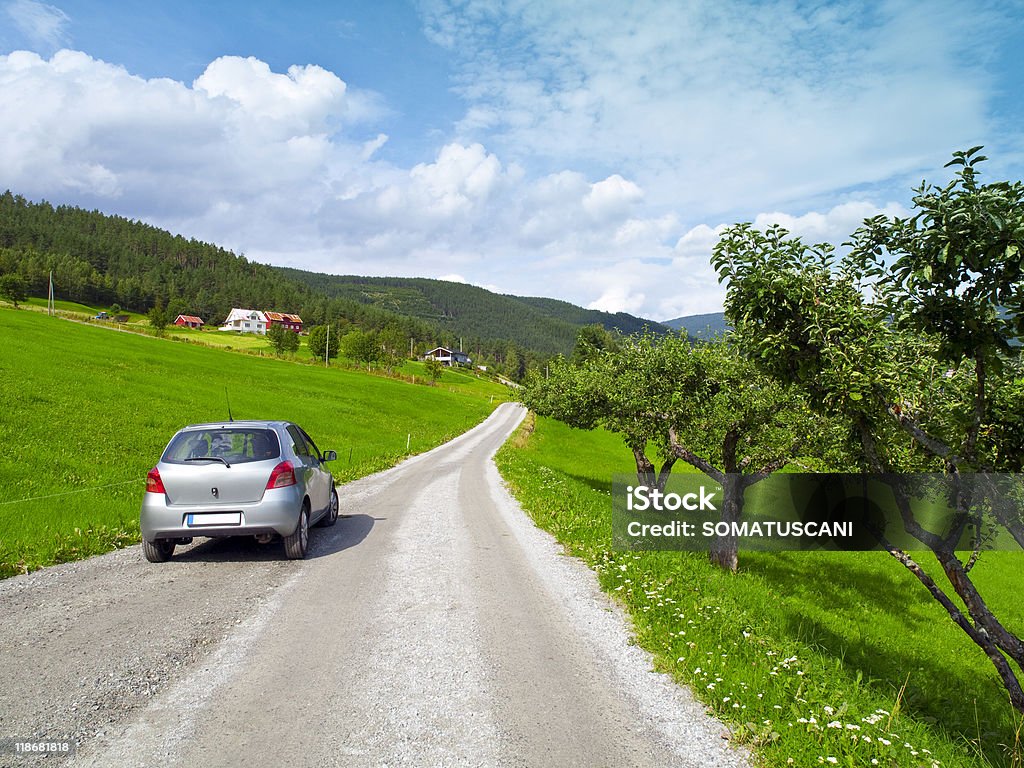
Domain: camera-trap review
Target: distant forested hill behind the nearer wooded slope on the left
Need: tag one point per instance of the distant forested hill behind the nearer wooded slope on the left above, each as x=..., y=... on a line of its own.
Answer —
x=545, y=325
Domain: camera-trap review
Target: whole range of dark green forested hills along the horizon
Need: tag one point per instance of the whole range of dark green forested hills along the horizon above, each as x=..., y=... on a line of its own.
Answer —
x=103, y=261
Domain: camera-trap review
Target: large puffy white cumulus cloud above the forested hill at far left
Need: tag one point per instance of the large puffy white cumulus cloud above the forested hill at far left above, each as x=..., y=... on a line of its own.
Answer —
x=238, y=144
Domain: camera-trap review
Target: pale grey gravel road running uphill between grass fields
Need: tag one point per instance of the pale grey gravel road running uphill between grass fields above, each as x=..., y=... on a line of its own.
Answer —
x=434, y=626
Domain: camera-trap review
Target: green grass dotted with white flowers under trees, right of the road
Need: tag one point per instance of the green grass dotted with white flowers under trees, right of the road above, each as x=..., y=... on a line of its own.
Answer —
x=812, y=658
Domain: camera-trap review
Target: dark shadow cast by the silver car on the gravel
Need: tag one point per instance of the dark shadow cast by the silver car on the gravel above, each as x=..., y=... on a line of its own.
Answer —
x=349, y=532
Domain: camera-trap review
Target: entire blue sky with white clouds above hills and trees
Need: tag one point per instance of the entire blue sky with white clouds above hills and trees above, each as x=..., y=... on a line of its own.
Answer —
x=584, y=150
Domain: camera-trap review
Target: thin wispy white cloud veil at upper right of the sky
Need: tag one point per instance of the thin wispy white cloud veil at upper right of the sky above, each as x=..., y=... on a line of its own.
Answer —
x=719, y=107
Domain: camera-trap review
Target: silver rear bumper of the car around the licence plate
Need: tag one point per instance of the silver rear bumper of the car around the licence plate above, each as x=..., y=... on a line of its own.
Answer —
x=278, y=513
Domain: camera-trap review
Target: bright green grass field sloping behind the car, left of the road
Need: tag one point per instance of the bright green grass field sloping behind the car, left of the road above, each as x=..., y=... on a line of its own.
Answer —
x=88, y=412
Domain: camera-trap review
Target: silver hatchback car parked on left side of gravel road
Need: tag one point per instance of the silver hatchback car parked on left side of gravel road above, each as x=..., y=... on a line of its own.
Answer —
x=262, y=479
